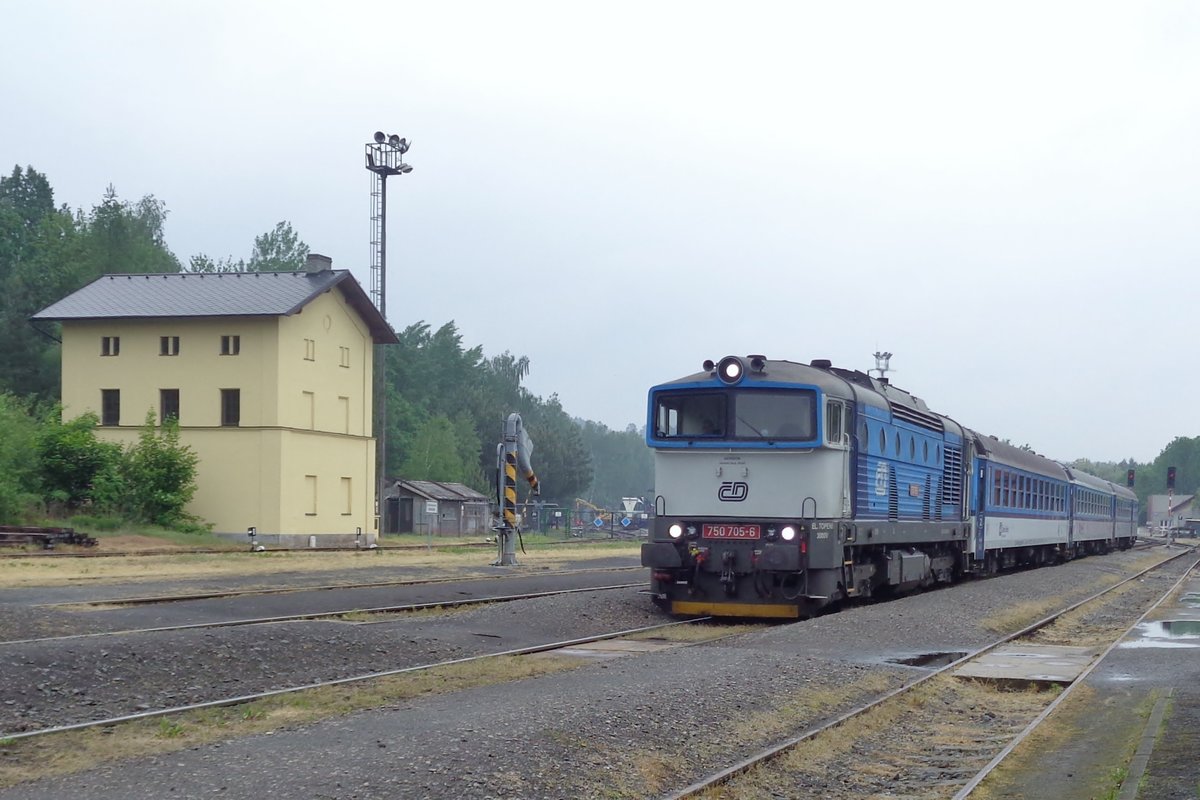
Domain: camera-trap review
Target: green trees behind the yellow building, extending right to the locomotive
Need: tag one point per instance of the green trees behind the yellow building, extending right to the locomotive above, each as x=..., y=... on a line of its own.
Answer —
x=447, y=401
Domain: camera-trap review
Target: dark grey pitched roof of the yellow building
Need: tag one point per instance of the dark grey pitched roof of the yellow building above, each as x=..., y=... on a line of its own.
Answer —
x=214, y=294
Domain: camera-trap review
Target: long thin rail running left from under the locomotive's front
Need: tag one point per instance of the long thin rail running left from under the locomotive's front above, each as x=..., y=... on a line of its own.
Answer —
x=243, y=700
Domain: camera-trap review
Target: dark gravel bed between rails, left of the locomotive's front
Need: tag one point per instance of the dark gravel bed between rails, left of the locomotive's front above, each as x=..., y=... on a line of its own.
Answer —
x=77, y=681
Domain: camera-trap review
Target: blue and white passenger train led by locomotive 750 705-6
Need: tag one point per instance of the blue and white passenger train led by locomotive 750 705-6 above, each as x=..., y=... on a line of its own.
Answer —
x=784, y=489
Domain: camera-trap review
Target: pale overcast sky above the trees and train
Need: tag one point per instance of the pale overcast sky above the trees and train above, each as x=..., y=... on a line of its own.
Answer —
x=1006, y=196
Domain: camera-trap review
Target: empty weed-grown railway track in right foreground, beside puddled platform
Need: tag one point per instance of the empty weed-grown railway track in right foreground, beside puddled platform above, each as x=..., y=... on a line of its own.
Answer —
x=911, y=742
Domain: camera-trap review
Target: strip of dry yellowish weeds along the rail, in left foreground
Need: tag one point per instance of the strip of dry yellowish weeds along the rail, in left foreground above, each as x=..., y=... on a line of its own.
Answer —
x=77, y=751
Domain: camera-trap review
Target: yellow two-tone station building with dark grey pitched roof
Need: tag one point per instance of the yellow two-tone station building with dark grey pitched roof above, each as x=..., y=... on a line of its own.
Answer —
x=268, y=374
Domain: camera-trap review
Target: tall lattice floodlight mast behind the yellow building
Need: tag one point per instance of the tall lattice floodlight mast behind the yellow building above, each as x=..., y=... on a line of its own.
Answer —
x=385, y=158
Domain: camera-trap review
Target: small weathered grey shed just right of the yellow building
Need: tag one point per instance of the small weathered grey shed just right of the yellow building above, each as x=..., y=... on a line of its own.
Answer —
x=436, y=509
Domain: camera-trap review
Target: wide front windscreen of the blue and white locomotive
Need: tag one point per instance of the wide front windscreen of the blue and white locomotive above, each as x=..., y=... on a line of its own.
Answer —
x=737, y=414
